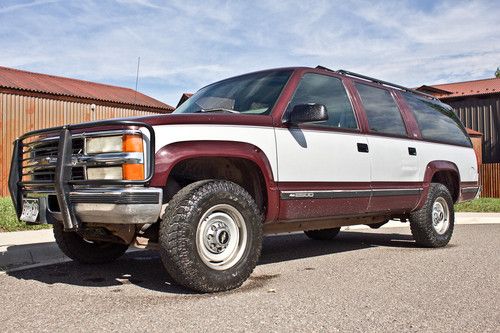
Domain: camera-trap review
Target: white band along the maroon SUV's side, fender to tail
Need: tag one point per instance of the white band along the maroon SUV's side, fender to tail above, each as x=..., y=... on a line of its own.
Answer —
x=327, y=156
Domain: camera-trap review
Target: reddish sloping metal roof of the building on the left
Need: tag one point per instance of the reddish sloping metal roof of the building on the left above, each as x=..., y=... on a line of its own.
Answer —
x=62, y=86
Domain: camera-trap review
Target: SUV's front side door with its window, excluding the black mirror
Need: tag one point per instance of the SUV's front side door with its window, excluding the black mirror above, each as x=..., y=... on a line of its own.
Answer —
x=323, y=168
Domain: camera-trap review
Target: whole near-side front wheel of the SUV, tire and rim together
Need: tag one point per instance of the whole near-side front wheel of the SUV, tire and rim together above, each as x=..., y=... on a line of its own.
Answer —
x=211, y=236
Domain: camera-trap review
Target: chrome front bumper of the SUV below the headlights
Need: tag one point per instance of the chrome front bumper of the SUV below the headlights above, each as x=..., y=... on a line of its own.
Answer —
x=132, y=205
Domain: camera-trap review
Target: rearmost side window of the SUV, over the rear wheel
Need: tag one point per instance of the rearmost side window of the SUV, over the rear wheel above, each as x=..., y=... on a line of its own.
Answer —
x=436, y=121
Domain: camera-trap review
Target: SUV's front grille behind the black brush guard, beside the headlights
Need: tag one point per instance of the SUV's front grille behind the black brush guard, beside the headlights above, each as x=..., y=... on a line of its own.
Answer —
x=39, y=159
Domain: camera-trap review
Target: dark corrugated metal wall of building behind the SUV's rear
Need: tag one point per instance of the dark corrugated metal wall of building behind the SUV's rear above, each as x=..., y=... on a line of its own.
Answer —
x=481, y=114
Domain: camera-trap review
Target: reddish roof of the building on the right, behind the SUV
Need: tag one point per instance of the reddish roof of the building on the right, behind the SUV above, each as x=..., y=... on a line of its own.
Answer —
x=467, y=88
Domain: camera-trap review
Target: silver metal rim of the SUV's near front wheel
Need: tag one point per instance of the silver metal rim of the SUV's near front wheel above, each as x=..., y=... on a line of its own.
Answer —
x=221, y=237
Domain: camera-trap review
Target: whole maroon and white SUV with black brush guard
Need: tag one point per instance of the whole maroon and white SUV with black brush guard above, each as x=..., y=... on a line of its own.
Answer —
x=274, y=151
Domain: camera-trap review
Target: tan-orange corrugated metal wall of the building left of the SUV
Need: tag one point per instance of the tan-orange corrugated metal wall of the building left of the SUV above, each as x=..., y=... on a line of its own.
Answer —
x=24, y=113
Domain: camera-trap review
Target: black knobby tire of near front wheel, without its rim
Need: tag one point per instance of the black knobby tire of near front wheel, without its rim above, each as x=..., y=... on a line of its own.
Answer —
x=178, y=236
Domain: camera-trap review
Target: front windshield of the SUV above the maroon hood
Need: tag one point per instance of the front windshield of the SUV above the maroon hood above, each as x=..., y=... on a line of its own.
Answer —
x=248, y=94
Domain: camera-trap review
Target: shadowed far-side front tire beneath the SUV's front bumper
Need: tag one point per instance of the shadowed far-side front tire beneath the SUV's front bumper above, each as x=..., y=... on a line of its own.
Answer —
x=74, y=246
